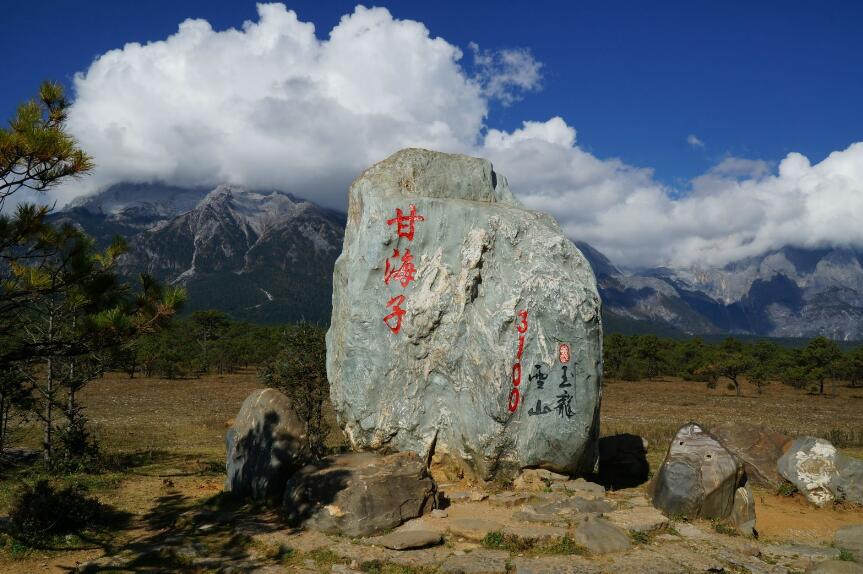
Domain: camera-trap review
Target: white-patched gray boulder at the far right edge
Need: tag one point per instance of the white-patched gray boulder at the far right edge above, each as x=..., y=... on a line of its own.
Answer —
x=821, y=473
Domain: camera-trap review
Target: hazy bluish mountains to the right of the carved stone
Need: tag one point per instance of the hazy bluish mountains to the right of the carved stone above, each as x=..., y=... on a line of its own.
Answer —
x=790, y=292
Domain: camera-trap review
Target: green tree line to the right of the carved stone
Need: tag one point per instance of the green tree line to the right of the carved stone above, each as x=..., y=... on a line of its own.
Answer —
x=819, y=361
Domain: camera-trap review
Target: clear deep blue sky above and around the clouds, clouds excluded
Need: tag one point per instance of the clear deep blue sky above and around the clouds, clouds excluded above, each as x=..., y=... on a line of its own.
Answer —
x=750, y=79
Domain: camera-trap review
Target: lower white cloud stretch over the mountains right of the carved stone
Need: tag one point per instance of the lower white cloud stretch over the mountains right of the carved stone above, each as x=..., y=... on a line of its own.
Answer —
x=740, y=208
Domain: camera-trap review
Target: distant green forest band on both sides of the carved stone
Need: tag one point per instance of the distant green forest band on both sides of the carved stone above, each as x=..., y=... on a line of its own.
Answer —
x=210, y=342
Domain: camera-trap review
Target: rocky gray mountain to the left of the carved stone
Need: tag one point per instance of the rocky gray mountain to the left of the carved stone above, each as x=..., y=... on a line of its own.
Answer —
x=259, y=255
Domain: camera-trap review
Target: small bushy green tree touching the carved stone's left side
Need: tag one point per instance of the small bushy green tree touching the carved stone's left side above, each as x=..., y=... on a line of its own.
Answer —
x=300, y=372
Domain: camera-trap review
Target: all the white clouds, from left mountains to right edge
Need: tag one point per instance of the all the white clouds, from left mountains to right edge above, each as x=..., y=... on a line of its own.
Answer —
x=271, y=105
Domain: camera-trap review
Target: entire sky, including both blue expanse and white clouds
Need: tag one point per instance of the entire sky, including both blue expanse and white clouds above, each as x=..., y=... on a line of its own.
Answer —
x=661, y=132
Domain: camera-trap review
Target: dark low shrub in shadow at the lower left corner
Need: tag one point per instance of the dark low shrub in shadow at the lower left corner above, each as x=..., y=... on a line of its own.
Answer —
x=40, y=511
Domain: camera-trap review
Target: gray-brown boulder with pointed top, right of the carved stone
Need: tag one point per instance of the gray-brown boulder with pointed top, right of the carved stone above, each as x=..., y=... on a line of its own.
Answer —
x=698, y=478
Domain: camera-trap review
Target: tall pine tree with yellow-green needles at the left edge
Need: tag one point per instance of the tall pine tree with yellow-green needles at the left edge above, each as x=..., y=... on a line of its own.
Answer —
x=61, y=303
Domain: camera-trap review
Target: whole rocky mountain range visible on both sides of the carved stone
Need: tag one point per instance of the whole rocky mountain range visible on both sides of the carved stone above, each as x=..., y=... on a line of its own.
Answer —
x=267, y=256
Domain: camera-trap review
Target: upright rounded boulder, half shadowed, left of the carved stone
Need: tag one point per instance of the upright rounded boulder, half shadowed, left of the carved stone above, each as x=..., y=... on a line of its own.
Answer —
x=264, y=445
